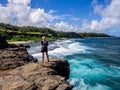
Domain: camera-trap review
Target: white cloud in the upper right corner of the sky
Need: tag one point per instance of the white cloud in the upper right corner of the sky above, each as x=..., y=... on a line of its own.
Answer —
x=111, y=15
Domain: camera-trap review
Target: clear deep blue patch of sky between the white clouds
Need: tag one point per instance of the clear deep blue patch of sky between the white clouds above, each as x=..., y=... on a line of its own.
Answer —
x=79, y=9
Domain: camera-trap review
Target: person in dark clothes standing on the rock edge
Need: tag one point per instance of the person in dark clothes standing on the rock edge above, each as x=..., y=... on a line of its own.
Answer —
x=44, y=48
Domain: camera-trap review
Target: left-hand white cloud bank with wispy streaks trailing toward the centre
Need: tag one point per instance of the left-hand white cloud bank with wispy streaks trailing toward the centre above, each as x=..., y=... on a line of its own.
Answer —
x=19, y=12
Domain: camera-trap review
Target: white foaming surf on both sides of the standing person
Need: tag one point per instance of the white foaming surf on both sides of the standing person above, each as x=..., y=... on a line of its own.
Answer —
x=66, y=47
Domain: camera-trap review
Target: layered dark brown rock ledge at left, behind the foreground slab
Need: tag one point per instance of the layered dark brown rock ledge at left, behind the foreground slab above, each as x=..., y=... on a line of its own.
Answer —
x=14, y=56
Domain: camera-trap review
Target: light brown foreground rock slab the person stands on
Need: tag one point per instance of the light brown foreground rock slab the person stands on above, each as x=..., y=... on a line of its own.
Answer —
x=37, y=76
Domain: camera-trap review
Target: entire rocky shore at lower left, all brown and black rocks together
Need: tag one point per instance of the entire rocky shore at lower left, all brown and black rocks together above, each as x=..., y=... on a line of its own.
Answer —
x=20, y=71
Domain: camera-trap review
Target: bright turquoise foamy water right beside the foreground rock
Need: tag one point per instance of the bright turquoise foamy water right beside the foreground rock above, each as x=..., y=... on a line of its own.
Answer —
x=82, y=73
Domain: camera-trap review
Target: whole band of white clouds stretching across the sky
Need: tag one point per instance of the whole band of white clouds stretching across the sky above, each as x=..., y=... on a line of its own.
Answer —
x=19, y=12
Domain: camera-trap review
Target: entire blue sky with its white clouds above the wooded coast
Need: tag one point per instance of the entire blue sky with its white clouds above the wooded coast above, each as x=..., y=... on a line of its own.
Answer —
x=101, y=16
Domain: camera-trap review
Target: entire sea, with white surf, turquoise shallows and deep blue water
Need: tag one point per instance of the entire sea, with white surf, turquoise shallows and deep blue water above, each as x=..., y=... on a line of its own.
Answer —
x=94, y=62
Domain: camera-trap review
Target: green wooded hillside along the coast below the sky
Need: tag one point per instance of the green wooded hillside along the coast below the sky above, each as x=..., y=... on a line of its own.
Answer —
x=25, y=33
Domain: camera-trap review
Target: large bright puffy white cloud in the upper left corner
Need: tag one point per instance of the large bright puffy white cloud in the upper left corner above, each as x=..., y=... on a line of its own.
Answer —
x=19, y=12
